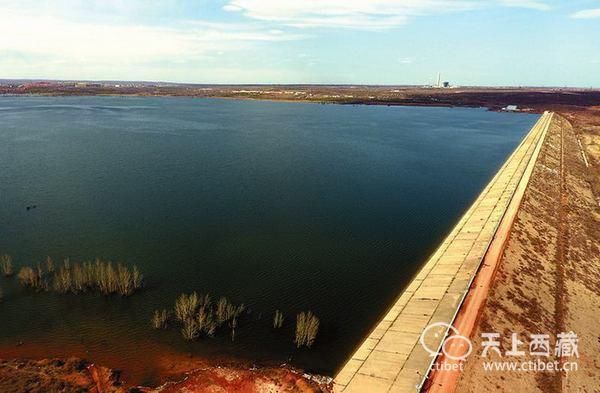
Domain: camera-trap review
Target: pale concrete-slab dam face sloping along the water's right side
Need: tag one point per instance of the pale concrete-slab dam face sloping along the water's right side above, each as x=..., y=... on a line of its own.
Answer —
x=391, y=359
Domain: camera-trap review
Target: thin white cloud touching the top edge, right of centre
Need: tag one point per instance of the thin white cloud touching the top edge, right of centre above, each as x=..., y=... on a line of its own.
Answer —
x=359, y=14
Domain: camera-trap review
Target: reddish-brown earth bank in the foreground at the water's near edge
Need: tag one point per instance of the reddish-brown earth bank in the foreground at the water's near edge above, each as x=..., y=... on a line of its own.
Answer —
x=76, y=375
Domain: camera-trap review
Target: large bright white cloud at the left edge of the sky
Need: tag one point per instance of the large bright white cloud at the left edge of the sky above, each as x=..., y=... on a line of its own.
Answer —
x=52, y=37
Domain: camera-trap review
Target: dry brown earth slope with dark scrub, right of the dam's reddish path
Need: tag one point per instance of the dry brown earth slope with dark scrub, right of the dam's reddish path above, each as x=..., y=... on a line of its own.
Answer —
x=548, y=281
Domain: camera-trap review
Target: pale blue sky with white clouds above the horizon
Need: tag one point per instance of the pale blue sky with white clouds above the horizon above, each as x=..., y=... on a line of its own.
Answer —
x=470, y=42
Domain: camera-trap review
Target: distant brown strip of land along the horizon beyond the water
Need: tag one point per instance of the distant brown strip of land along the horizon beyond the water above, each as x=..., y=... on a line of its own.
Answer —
x=528, y=98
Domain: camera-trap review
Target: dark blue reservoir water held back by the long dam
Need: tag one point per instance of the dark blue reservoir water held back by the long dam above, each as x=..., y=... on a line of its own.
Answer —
x=290, y=206
